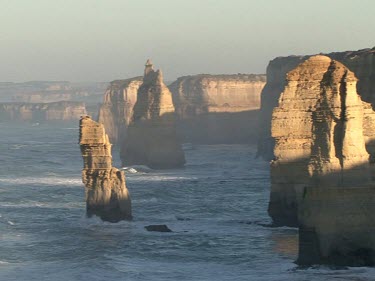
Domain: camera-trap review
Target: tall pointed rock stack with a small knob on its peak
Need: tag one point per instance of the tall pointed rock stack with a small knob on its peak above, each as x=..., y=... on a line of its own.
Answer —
x=151, y=136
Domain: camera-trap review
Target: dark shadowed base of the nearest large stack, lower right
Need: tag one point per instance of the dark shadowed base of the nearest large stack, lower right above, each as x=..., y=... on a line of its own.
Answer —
x=337, y=226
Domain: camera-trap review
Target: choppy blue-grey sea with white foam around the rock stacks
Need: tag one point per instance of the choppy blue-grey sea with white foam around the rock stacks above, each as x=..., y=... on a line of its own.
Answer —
x=216, y=207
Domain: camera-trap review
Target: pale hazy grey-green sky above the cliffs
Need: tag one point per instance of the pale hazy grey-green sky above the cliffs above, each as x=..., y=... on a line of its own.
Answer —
x=102, y=40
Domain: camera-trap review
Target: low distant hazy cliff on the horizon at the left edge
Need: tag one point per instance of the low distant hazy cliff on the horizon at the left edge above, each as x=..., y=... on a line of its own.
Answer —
x=41, y=112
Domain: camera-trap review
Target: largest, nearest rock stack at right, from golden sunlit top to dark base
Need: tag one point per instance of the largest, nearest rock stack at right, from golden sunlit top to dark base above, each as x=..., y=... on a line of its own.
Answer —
x=321, y=175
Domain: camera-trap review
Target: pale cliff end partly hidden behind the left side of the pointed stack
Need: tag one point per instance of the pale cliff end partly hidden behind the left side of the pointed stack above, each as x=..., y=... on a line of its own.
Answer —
x=117, y=109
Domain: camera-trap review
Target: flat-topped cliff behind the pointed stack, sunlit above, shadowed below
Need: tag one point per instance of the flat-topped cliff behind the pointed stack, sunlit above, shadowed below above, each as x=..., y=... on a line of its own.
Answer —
x=218, y=108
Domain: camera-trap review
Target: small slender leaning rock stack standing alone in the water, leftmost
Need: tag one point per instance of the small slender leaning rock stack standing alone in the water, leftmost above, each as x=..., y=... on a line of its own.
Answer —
x=106, y=193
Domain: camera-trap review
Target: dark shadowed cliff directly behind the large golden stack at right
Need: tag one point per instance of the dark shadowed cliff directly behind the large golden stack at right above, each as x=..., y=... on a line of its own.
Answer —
x=362, y=63
